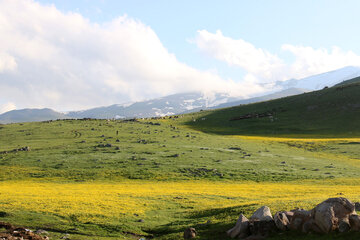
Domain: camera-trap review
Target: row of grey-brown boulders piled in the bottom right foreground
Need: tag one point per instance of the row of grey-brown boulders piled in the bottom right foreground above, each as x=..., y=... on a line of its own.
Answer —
x=332, y=215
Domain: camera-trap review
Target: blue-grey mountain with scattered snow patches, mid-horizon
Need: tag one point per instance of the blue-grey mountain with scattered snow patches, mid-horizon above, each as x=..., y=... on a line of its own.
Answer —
x=168, y=105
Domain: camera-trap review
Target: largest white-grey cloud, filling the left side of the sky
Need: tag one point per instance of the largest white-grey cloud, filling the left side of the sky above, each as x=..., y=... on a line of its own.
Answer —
x=64, y=61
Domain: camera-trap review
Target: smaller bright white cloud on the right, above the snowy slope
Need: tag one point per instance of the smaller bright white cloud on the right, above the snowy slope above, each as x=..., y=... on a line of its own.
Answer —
x=263, y=66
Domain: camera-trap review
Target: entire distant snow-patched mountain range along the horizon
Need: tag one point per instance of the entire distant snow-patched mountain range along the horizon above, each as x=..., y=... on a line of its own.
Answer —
x=184, y=102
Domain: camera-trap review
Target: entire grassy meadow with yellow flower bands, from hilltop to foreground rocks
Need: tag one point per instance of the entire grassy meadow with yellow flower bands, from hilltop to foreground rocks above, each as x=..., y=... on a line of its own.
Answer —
x=99, y=179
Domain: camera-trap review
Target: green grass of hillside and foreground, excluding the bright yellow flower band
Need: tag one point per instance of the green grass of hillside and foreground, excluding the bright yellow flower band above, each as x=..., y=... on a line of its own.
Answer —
x=183, y=149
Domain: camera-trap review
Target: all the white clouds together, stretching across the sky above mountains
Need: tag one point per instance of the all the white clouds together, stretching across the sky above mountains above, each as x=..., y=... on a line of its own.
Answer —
x=64, y=61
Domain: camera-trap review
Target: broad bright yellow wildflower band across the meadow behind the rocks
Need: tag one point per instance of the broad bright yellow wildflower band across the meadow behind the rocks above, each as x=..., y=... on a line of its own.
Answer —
x=98, y=201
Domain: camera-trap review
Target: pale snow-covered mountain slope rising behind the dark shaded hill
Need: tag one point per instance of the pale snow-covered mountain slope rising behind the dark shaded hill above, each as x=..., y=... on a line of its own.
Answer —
x=320, y=81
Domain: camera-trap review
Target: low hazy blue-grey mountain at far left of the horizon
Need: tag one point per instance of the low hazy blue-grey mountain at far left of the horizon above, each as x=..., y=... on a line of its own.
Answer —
x=30, y=115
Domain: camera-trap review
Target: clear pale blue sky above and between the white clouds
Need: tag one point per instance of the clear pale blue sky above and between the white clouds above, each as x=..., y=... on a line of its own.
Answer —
x=266, y=24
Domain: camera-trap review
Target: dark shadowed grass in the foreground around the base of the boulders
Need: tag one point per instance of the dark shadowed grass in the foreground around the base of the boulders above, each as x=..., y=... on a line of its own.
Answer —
x=212, y=224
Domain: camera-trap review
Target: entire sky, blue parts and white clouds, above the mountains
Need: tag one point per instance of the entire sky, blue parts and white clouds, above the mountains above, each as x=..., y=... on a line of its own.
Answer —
x=73, y=55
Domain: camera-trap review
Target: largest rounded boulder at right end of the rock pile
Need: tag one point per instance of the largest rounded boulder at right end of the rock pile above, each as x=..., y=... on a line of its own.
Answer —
x=327, y=215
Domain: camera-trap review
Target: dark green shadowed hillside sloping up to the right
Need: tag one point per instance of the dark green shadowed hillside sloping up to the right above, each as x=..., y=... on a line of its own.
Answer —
x=331, y=112
